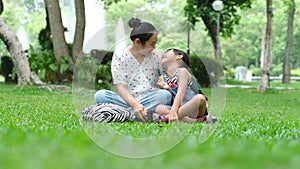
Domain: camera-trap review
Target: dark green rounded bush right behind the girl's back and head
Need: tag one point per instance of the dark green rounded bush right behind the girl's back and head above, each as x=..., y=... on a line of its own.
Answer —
x=206, y=70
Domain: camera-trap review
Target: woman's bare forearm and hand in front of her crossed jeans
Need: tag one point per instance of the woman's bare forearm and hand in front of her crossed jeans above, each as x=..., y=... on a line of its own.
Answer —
x=139, y=110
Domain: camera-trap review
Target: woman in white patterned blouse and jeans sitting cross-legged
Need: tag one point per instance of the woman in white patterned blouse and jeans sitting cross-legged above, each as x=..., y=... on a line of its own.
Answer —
x=135, y=71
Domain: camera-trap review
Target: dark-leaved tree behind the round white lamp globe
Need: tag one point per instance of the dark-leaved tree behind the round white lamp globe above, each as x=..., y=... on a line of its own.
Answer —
x=229, y=17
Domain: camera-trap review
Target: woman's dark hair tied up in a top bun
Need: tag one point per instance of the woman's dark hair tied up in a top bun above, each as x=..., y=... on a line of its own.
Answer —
x=142, y=30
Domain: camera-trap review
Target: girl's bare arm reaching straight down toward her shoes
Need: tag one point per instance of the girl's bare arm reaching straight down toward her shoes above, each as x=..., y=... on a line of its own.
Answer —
x=183, y=78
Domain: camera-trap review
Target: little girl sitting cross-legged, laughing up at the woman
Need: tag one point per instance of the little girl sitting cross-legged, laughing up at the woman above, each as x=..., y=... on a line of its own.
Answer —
x=189, y=104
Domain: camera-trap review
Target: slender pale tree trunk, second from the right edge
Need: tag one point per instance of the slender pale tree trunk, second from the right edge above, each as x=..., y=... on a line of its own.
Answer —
x=265, y=78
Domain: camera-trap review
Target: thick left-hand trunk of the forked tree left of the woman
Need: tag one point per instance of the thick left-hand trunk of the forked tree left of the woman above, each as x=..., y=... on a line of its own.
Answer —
x=59, y=42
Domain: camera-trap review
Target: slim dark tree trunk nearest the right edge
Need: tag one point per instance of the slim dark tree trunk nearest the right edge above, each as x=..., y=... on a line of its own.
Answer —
x=289, y=40
